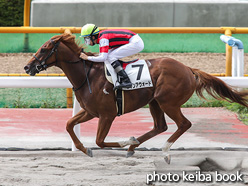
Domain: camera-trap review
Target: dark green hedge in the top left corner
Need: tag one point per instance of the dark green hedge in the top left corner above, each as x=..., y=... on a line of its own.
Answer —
x=11, y=12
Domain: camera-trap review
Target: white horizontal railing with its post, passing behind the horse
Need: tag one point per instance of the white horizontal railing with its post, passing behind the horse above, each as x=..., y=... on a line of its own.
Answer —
x=63, y=82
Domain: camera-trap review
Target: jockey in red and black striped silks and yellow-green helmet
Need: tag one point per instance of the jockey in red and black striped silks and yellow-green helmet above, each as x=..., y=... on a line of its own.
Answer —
x=114, y=44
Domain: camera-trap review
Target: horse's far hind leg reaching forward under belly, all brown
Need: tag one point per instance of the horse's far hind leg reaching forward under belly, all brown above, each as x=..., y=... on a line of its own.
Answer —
x=159, y=126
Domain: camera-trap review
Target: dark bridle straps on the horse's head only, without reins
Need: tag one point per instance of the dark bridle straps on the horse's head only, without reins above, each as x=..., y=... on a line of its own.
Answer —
x=43, y=66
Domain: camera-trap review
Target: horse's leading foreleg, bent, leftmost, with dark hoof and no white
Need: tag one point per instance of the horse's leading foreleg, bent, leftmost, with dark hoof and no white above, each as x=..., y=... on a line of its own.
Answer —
x=80, y=117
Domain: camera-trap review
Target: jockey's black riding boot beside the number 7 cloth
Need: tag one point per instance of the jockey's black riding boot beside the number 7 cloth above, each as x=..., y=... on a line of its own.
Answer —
x=124, y=79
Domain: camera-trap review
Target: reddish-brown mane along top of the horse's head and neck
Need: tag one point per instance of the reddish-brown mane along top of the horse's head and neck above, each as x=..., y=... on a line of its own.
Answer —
x=69, y=40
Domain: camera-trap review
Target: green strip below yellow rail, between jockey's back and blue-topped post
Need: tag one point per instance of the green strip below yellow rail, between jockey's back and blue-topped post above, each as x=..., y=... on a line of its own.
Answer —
x=183, y=43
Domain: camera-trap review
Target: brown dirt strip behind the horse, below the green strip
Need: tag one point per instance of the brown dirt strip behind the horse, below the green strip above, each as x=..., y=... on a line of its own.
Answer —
x=208, y=62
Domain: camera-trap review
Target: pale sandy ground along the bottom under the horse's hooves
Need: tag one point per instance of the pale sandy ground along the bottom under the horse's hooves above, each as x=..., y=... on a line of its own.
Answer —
x=112, y=168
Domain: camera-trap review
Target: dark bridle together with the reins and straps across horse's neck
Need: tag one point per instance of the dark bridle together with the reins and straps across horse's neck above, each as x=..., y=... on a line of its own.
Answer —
x=43, y=66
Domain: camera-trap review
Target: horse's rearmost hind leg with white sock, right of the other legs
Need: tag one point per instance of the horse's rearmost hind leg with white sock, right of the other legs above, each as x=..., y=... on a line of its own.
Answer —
x=183, y=125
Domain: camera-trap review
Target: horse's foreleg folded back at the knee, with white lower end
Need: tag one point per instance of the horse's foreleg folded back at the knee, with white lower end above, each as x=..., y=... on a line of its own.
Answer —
x=104, y=125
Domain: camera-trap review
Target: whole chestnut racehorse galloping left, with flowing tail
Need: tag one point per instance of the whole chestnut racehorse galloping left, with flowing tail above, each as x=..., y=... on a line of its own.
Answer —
x=173, y=84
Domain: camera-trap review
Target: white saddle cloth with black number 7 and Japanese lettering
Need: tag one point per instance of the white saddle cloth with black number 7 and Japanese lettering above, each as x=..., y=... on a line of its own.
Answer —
x=138, y=73
